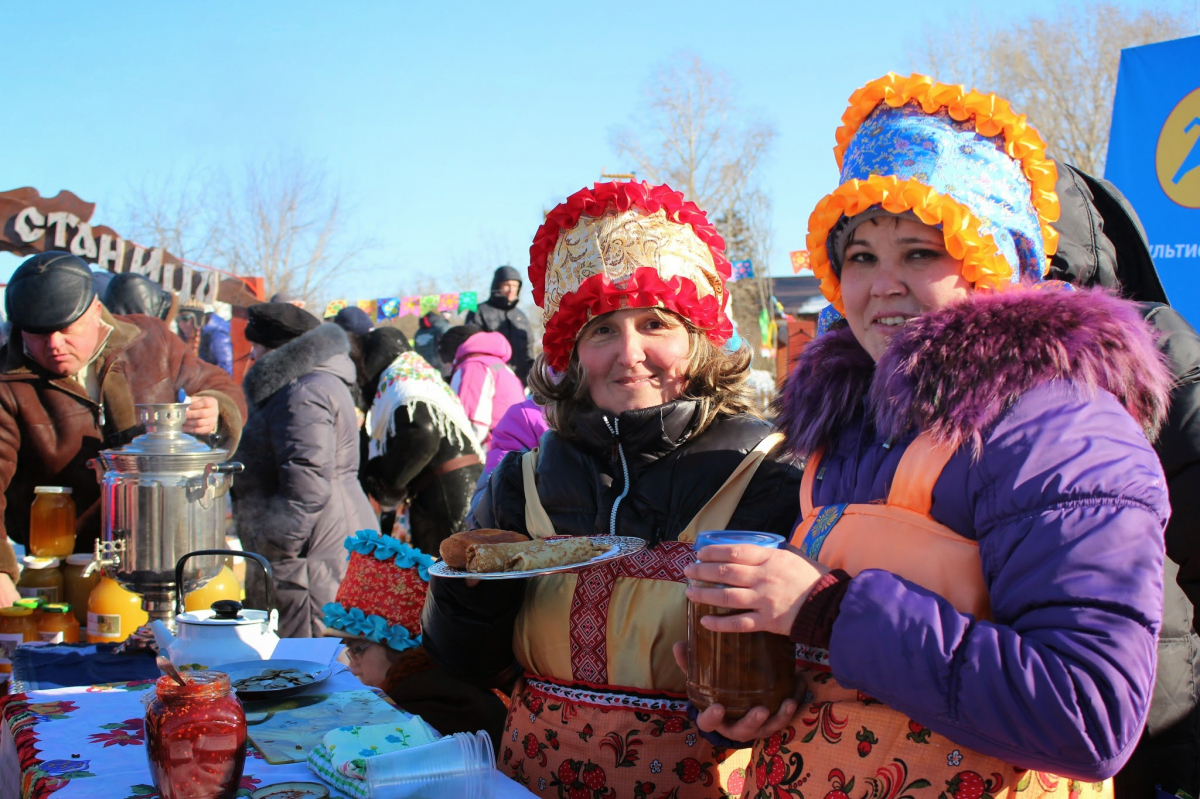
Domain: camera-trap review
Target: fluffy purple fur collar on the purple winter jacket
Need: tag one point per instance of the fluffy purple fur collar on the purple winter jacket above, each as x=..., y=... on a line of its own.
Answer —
x=957, y=371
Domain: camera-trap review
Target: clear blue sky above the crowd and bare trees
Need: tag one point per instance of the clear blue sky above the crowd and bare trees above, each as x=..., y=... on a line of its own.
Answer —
x=449, y=127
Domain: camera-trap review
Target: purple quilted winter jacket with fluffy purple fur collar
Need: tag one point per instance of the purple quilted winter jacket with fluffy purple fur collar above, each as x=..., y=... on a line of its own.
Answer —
x=1049, y=398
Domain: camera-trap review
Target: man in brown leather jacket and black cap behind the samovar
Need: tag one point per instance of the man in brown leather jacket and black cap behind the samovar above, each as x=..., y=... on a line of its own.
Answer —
x=70, y=379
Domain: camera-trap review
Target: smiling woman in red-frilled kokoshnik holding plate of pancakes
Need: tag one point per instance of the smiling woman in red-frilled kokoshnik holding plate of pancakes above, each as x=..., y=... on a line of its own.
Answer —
x=649, y=417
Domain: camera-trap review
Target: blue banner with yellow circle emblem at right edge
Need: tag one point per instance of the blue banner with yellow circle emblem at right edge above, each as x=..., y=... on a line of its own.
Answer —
x=1155, y=159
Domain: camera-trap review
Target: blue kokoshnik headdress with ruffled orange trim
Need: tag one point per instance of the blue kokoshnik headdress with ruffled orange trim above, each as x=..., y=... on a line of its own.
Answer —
x=958, y=160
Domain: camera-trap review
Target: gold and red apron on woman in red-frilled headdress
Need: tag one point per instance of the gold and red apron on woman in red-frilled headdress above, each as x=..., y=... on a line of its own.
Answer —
x=602, y=708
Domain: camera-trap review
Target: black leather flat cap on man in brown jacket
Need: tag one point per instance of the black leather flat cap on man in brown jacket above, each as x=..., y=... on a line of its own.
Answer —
x=49, y=292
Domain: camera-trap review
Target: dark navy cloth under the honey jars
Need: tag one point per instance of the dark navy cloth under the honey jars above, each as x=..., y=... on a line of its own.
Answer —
x=41, y=669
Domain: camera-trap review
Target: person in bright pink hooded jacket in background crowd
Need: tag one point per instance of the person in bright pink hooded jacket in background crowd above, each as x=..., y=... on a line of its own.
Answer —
x=484, y=382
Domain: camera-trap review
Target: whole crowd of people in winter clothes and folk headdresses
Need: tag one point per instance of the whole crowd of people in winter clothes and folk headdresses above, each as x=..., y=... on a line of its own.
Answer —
x=983, y=467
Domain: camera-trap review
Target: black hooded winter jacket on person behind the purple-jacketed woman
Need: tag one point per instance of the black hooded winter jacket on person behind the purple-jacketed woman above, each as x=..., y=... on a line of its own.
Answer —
x=1102, y=243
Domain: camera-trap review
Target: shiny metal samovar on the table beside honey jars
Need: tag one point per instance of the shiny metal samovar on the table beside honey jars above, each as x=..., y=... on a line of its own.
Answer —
x=163, y=496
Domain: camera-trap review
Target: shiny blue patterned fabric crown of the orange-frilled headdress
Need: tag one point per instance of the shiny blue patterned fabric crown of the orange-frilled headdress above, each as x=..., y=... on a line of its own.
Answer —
x=952, y=159
